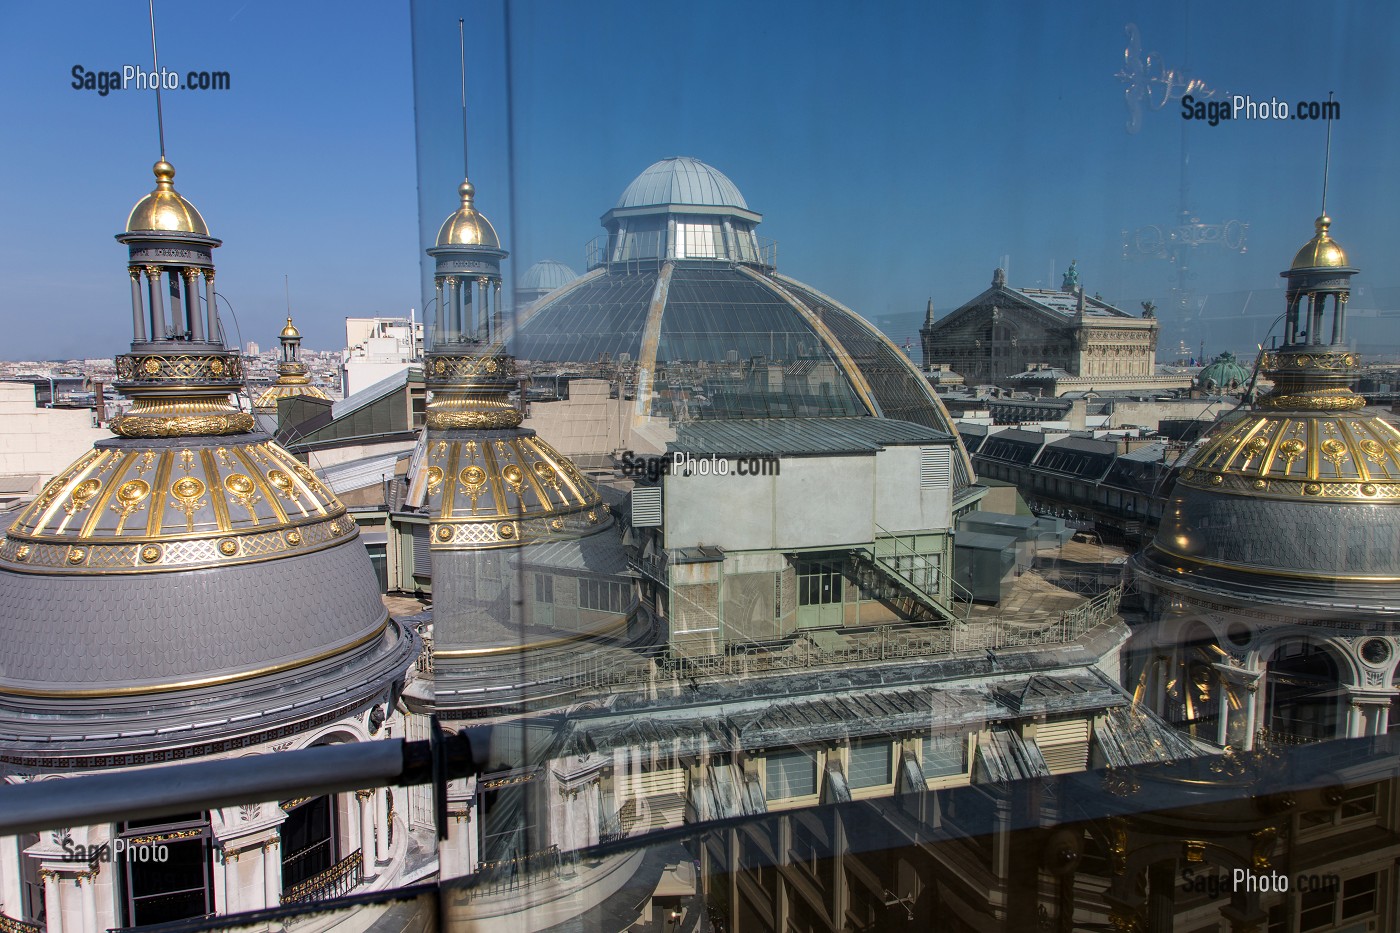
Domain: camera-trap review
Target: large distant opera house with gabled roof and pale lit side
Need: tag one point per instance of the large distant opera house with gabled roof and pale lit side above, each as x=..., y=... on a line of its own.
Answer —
x=1048, y=341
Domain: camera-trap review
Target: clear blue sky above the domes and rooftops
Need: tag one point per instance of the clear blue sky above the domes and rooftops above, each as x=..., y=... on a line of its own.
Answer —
x=897, y=151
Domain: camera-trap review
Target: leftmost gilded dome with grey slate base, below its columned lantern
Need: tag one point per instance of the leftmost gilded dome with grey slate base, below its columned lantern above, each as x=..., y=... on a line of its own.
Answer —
x=173, y=564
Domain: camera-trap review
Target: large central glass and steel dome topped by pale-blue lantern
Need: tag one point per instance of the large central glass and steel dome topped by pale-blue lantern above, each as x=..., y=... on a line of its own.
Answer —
x=689, y=316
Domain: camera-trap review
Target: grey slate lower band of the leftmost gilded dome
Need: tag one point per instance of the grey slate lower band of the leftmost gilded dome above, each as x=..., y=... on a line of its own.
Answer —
x=89, y=633
